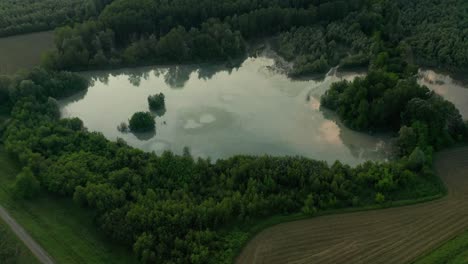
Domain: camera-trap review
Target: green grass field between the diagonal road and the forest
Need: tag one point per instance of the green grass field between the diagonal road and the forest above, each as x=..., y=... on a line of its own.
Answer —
x=64, y=230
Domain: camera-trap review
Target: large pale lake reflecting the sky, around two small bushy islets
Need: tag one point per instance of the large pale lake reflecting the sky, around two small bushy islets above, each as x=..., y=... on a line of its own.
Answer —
x=219, y=112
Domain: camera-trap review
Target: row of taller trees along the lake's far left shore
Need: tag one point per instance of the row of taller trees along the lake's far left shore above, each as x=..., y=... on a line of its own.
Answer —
x=86, y=46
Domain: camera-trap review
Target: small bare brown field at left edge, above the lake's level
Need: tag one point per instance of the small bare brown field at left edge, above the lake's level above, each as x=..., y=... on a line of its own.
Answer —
x=23, y=51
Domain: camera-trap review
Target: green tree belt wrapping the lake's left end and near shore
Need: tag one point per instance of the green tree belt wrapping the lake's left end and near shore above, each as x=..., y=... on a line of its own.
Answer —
x=175, y=209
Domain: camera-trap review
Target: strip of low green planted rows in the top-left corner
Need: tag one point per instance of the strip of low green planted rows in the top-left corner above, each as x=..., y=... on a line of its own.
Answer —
x=25, y=16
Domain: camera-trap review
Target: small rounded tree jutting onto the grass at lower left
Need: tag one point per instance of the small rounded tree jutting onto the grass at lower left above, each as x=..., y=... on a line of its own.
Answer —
x=26, y=185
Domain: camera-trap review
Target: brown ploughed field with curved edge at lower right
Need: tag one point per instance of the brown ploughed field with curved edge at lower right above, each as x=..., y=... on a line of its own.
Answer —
x=395, y=235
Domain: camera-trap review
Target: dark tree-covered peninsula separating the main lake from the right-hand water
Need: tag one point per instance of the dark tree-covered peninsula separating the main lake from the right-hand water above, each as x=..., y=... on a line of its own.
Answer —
x=381, y=101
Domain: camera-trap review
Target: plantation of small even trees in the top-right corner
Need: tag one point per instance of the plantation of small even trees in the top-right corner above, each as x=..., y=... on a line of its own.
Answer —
x=437, y=32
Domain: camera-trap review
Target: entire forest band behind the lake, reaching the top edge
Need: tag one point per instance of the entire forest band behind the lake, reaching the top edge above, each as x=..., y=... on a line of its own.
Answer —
x=314, y=35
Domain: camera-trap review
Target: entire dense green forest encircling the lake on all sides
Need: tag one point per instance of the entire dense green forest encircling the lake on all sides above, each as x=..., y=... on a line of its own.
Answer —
x=177, y=209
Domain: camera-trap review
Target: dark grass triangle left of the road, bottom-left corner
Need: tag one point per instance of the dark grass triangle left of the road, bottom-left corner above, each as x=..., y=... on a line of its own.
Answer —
x=22, y=253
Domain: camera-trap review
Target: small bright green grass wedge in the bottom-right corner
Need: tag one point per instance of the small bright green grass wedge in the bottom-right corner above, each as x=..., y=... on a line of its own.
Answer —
x=454, y=251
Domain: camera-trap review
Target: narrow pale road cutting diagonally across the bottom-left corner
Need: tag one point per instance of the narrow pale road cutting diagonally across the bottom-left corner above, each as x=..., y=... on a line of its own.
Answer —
x=35, y=248
